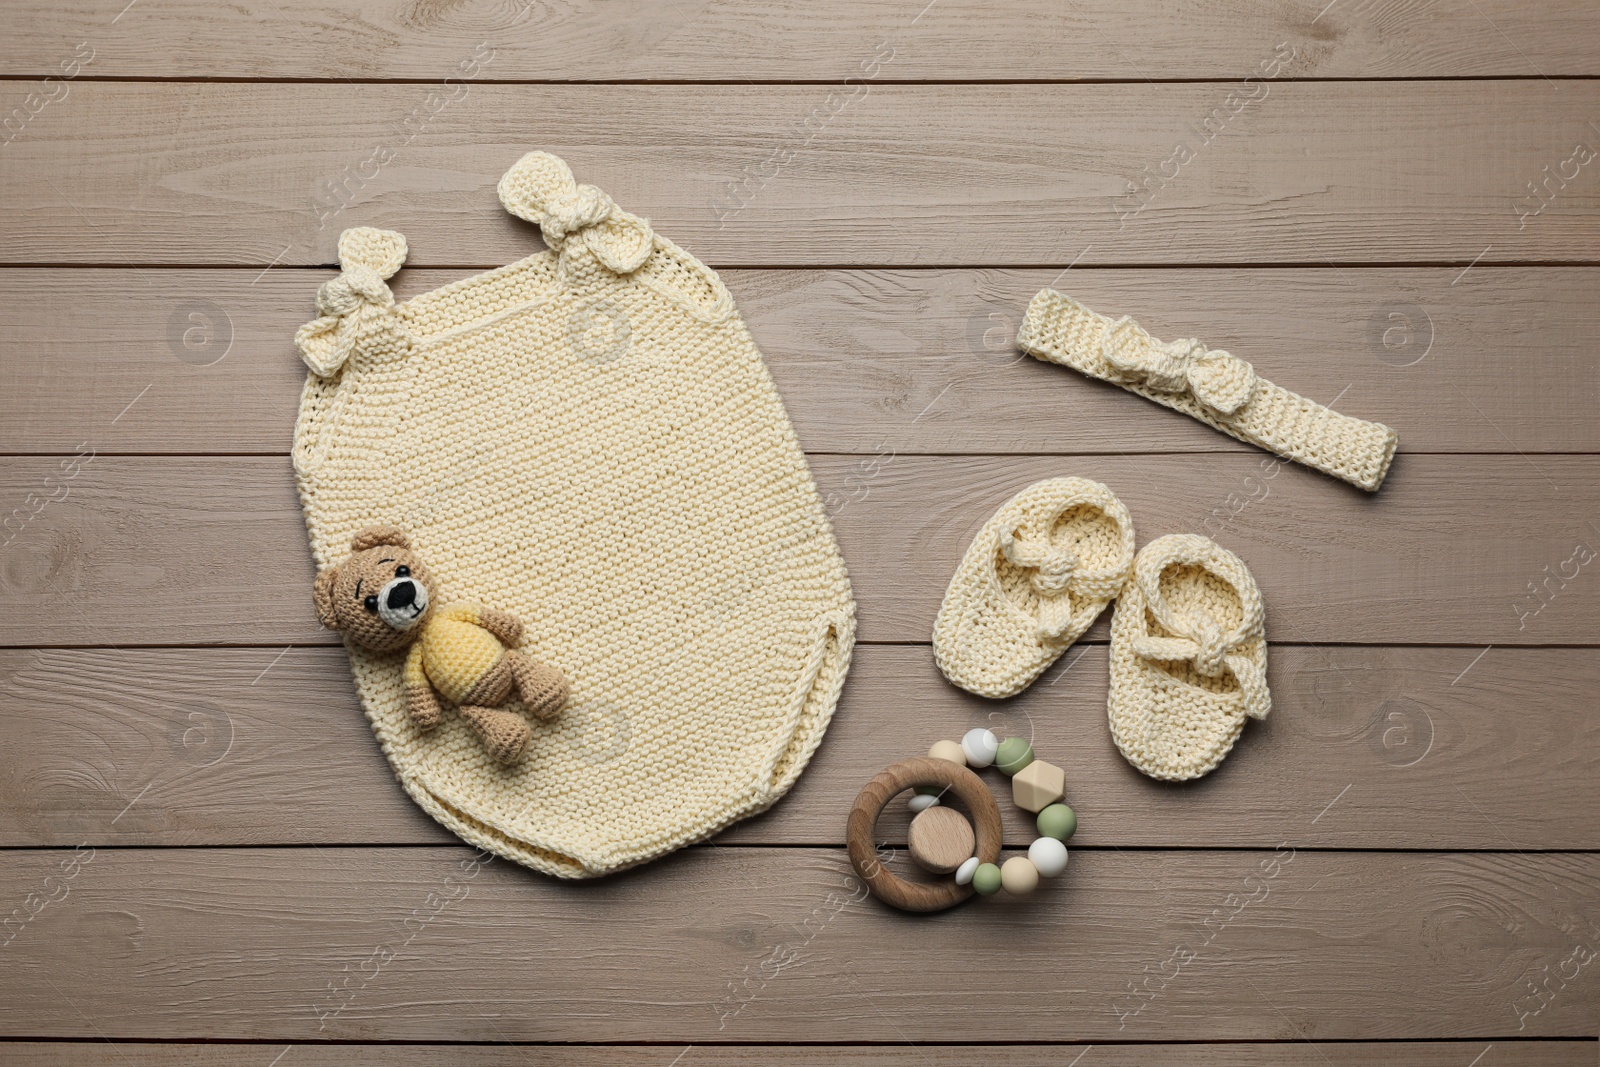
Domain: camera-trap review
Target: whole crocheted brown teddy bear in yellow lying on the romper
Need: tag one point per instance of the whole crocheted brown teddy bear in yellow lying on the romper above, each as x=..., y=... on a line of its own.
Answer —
x=383, y=599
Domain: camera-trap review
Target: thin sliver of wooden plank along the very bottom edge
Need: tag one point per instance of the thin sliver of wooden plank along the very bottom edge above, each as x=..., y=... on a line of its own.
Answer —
x=1294, y=1053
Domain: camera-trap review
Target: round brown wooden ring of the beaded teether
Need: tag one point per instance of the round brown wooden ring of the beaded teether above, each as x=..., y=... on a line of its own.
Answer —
x=916, y=897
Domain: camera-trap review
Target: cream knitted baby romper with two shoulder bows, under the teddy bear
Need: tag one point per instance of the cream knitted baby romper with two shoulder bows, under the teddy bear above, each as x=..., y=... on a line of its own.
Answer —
x=590, y=441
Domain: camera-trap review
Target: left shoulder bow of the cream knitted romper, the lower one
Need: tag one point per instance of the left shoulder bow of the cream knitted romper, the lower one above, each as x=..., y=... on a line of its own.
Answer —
x=358, y=306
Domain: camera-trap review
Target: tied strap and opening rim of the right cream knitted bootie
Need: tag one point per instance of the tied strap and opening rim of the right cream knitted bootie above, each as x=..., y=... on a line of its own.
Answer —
x=1196, y=637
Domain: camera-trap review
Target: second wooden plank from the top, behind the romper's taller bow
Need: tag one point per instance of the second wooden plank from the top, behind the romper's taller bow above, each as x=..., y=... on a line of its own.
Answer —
x=1310, y=174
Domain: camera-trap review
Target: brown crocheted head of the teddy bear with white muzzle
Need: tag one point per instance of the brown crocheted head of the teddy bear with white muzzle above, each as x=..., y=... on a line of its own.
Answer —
x=382, y=596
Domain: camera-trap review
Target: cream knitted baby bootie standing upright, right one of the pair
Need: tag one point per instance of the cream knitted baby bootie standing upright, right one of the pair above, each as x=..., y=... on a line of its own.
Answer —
x=1188, y=658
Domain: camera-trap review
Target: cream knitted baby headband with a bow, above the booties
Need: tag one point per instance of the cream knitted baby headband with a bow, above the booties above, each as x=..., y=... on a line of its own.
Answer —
x=1209, y=385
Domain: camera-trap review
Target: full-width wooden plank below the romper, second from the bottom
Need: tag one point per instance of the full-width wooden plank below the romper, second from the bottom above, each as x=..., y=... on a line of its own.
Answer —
x=777, y=945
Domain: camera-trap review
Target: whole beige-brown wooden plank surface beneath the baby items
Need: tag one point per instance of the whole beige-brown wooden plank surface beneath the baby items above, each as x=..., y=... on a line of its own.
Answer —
x=202, y=853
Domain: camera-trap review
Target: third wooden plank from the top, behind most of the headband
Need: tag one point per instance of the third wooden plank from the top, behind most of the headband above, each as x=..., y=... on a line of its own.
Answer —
x=929, y=353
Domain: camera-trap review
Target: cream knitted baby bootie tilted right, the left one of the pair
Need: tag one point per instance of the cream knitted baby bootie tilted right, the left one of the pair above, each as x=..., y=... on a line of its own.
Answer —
x=1036, y=577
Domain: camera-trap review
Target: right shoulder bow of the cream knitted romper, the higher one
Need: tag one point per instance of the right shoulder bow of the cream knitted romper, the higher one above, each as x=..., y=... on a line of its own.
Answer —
x=542, y=190
